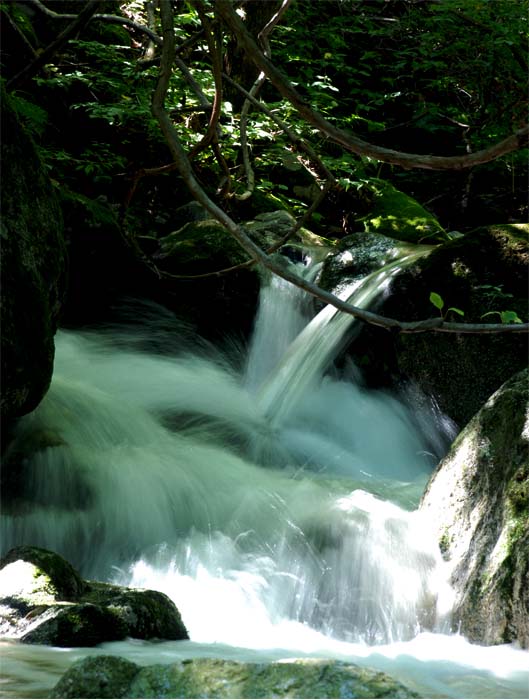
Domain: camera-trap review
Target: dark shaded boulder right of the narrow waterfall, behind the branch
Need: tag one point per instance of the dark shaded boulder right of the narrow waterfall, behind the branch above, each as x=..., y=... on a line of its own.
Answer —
x=481, y=272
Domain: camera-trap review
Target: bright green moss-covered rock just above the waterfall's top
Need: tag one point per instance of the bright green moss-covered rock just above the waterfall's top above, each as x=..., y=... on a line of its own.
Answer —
x=399, y=216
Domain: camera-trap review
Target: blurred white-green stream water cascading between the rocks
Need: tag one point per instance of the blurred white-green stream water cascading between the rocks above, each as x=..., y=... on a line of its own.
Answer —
x=272, y=498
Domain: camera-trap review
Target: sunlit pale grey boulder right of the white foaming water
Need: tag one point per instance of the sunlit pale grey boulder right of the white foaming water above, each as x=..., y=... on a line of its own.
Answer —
x=478, y=500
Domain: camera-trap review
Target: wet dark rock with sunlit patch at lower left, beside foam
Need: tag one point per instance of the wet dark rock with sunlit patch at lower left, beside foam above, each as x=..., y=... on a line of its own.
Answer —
x=43, y=600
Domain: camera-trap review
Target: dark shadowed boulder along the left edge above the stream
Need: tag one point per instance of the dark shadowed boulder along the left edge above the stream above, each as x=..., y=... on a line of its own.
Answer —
x=33, y=266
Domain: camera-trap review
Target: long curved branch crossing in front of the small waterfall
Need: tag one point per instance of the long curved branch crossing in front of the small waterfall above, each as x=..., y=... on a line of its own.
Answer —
x=184, y=166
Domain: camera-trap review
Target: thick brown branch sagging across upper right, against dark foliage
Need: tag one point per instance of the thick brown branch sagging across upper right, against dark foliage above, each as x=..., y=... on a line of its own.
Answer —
x=349, y=141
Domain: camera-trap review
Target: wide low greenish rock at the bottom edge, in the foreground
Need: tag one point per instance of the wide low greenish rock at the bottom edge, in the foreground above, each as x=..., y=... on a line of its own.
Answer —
x=113, y=677
